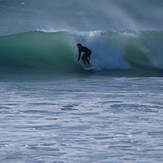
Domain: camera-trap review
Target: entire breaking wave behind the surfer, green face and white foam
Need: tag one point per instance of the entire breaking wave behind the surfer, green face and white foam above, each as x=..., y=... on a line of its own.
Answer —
x=57, y=51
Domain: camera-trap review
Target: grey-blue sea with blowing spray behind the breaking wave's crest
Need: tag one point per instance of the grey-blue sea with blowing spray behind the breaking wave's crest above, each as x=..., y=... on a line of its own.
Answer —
x=22, y=16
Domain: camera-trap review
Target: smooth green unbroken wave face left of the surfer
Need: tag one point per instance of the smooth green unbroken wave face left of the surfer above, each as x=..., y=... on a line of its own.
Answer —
x=36, y=50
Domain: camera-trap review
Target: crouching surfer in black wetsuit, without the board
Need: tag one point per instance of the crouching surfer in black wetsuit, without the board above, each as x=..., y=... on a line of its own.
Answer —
x=86, y=55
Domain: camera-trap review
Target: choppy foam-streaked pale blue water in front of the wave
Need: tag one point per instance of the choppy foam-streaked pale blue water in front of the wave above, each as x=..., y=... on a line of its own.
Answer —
x=82, y=120
